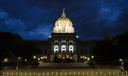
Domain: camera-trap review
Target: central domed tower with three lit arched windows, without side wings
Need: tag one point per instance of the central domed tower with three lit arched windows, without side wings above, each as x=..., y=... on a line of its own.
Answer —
x=64, y=41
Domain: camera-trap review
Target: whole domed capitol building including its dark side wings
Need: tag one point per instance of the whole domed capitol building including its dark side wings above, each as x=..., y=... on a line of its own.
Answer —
x=64, y=45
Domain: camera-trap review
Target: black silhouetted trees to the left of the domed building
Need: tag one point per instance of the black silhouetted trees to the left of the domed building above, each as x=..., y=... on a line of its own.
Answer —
x=12, y=46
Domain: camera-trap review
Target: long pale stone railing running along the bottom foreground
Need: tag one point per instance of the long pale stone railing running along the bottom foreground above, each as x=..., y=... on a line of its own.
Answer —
x=67, y=73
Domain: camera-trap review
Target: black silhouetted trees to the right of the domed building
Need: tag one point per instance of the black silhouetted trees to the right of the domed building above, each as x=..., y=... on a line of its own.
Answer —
x=111, y=49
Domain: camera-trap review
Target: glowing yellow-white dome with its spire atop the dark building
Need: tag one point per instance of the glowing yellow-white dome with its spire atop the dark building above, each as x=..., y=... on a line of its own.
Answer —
x=63, y=25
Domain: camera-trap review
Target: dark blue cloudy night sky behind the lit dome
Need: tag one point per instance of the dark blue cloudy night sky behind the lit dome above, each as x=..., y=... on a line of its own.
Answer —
x=92, y=19
